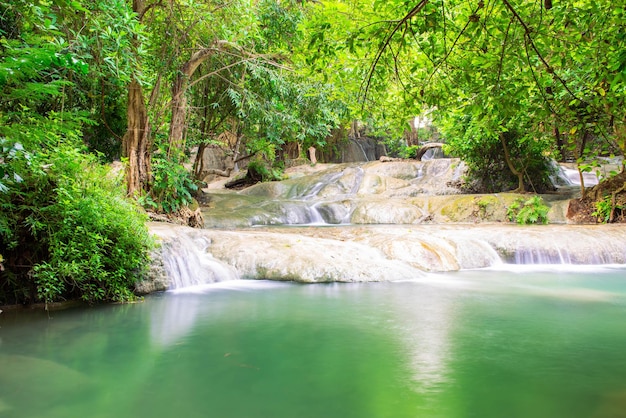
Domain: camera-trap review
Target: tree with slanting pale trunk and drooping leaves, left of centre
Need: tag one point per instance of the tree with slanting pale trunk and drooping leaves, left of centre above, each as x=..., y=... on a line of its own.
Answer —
x=259, y=98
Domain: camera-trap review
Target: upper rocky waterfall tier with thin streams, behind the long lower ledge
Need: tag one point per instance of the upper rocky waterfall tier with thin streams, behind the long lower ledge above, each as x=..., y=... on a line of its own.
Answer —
x=369, y=193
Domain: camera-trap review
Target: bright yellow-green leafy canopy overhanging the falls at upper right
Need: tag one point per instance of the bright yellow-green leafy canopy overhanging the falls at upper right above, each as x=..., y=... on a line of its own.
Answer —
x=519, y=67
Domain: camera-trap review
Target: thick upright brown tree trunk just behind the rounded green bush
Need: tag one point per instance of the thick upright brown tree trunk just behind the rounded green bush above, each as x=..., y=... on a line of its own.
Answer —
x=136, y=142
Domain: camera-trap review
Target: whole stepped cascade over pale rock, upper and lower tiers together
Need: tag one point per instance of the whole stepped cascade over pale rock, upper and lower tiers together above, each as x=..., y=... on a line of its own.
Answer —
x=400, y=221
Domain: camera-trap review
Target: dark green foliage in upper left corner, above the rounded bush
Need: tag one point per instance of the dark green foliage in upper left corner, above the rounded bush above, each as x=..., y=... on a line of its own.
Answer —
x=63, y=58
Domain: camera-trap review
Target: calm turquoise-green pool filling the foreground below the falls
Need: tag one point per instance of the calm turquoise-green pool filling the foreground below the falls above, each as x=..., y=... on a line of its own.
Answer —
x=470, y=344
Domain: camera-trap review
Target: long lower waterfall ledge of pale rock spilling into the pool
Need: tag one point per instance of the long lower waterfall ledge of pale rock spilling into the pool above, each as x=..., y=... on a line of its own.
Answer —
x=376, y=253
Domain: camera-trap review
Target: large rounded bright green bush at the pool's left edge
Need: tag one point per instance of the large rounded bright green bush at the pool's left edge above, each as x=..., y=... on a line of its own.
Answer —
x=69, y=232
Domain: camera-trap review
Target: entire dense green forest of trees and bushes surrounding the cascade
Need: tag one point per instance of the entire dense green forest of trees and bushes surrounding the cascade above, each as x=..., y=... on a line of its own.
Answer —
x=510, y=85
